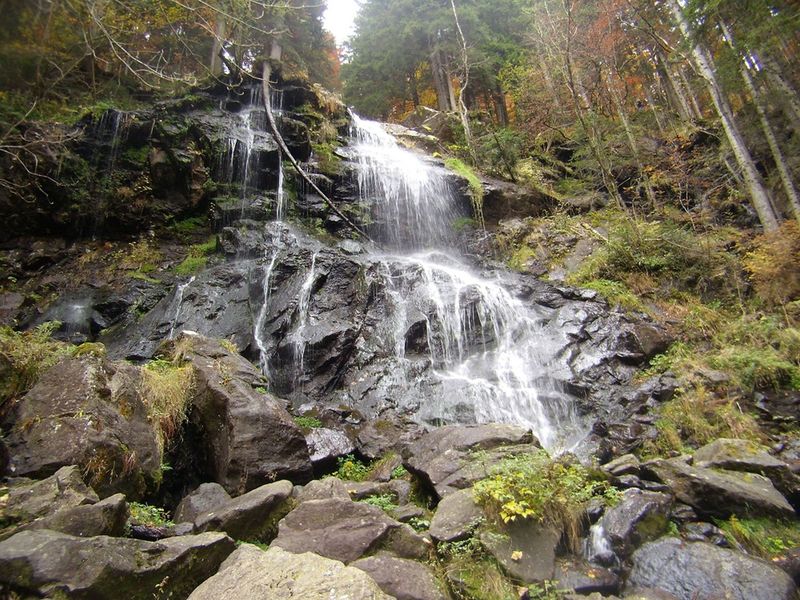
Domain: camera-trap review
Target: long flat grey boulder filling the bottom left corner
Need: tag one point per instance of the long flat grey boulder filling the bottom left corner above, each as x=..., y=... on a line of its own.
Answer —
x=50, y=563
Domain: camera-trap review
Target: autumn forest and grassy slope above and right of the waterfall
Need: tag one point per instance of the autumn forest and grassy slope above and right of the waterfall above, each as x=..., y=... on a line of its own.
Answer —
x=661, y=142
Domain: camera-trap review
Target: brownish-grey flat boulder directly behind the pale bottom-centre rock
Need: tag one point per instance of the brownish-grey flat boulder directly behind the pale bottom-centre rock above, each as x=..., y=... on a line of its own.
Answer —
x=342, y=530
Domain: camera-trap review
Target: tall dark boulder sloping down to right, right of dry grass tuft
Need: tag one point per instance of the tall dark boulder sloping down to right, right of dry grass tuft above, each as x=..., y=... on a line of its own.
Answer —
x=250, y=439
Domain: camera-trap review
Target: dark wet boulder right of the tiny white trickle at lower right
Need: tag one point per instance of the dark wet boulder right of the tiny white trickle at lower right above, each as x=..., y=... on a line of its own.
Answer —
x=638, y=518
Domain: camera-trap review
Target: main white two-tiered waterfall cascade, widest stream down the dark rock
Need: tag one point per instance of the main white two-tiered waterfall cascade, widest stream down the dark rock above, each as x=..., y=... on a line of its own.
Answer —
x=485, y=346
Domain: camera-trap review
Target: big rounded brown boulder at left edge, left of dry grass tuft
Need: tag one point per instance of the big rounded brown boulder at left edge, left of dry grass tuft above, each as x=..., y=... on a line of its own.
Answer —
x=86, y=412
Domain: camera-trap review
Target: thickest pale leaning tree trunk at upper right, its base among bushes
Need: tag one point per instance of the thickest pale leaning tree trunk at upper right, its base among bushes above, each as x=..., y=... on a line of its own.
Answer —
x=705, y=66
